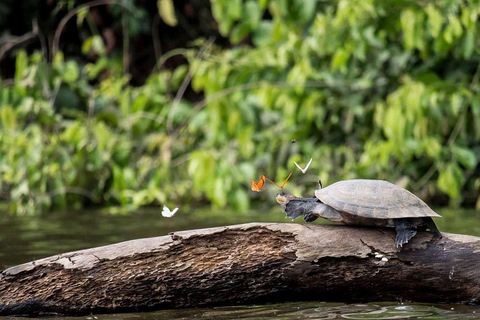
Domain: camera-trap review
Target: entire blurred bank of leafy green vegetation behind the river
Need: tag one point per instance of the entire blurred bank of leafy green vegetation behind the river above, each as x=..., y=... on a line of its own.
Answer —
x=129, y=103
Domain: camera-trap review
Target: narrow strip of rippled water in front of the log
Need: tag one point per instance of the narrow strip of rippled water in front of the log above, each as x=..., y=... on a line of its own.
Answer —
x=303, y=310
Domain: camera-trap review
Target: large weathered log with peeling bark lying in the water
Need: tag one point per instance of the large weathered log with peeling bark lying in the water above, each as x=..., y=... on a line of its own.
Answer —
x=242, y=264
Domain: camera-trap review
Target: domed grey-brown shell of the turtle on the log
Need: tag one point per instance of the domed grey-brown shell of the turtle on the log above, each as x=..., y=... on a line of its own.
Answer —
x=374, y=199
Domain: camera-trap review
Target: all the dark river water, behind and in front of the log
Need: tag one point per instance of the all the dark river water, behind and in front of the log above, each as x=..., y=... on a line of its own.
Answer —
x=26, y=238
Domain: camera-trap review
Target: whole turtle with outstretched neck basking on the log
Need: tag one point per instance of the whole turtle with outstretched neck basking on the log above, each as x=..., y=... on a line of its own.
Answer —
x=366, y=202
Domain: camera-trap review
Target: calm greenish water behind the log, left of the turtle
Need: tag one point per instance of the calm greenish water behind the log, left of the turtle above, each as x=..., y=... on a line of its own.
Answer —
x=26, y=238
